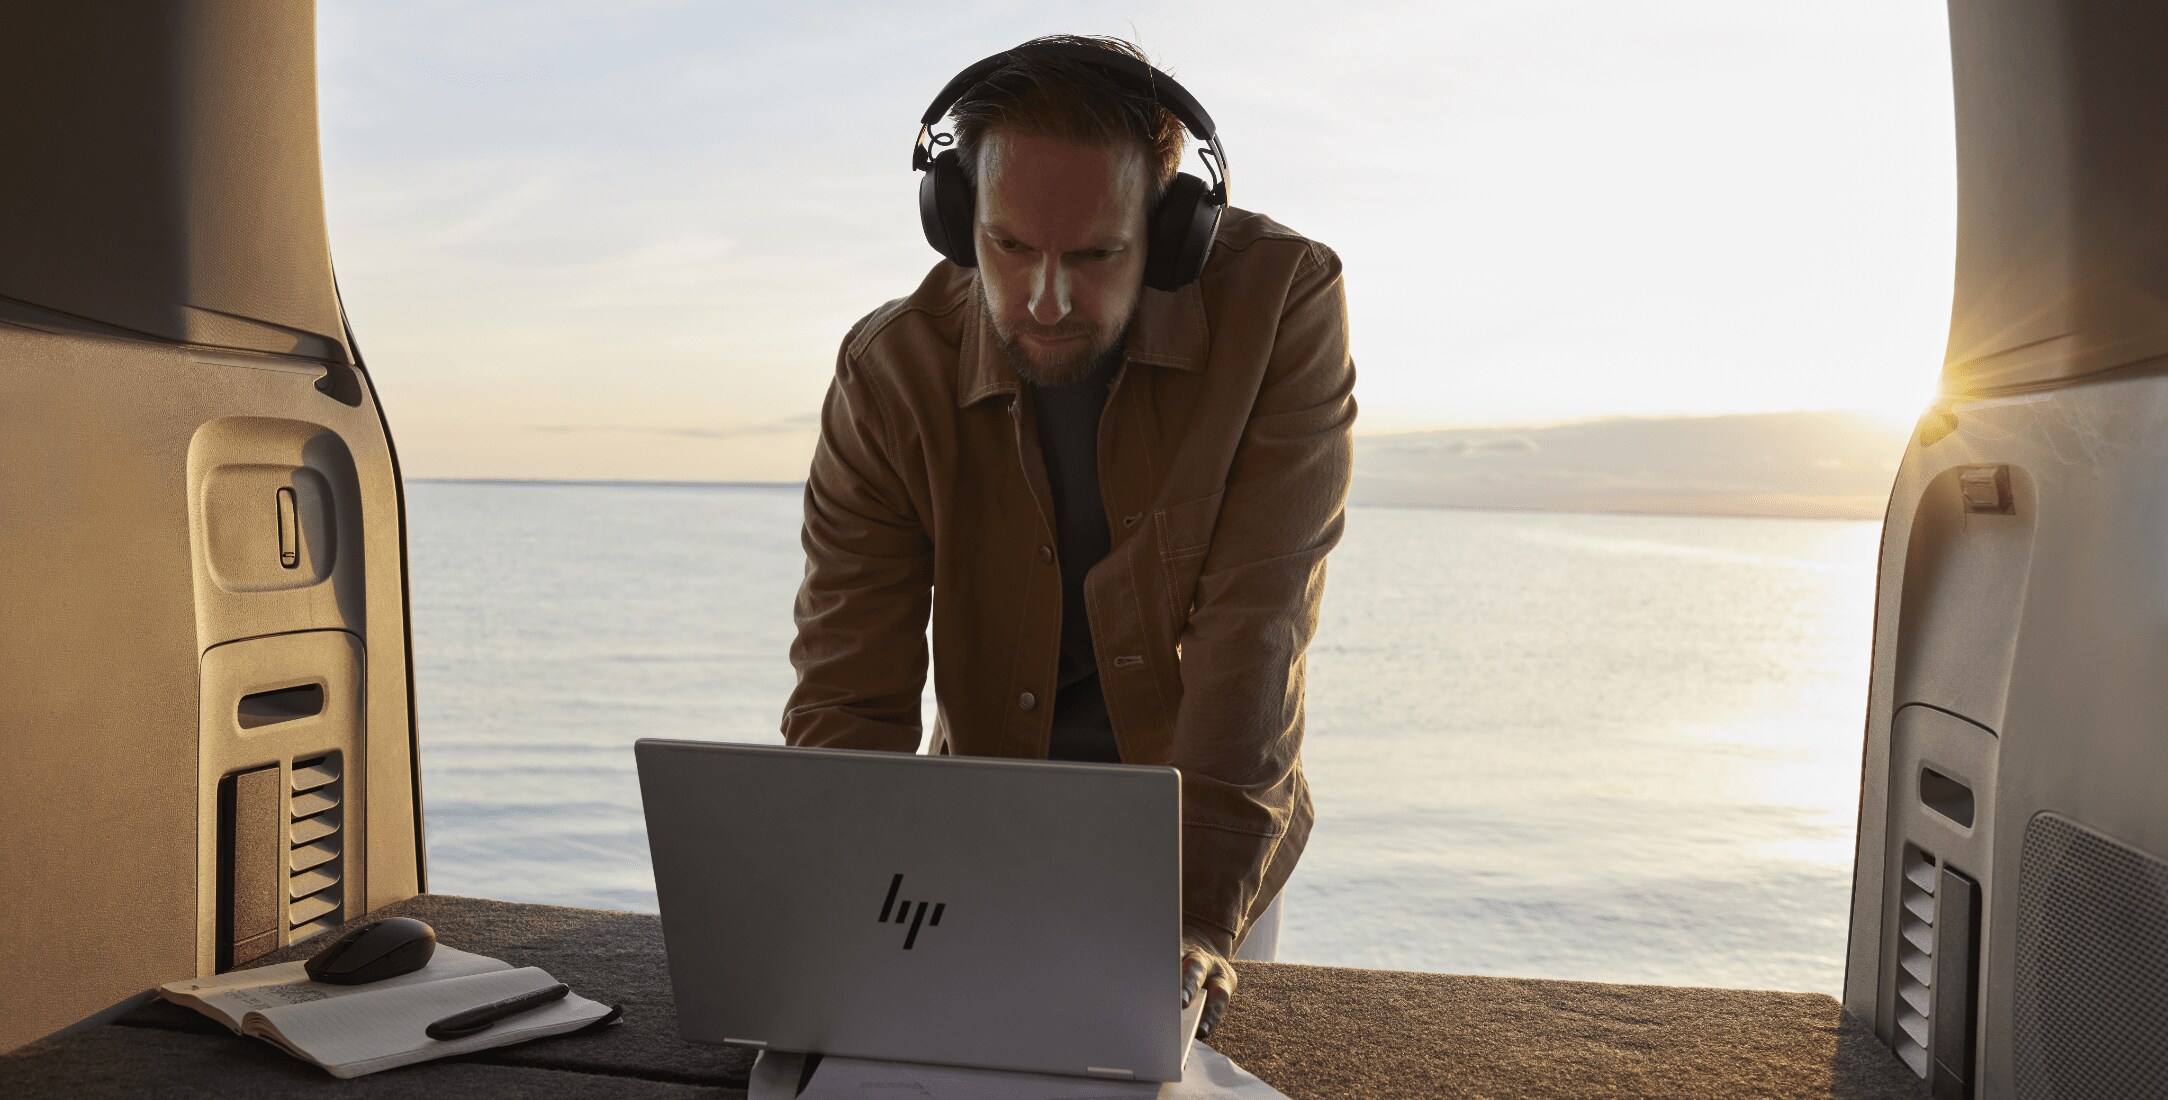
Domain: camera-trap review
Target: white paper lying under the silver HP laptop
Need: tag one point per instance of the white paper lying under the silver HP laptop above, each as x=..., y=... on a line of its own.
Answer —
x=1209, y=1077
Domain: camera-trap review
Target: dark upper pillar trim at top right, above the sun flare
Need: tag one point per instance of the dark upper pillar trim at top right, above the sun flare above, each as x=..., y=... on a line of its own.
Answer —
x=2061, y=181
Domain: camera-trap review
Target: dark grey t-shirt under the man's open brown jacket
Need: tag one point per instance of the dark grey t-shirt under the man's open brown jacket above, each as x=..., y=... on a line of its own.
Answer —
x=1070, y=444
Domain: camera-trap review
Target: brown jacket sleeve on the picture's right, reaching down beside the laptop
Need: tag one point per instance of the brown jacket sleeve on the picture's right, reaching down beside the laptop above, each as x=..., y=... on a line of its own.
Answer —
x=1239, y=730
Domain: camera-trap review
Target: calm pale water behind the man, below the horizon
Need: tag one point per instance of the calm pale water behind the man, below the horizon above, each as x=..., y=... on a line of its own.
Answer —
x=1540, y=745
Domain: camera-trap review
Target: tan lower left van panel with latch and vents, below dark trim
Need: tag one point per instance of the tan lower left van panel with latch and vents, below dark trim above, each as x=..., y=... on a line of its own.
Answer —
x=144, y=598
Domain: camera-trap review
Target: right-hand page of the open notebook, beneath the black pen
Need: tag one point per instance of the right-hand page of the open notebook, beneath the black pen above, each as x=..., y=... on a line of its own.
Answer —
x=387, y=1027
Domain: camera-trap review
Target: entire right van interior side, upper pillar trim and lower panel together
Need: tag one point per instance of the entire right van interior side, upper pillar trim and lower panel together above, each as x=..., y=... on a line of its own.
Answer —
x=2015, y=741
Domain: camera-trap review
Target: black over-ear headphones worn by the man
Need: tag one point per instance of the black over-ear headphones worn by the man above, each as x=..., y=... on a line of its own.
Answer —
x=1185, y=220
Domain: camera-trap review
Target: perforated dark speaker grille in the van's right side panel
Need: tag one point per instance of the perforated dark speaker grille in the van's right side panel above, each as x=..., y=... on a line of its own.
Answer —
x=2093, y=967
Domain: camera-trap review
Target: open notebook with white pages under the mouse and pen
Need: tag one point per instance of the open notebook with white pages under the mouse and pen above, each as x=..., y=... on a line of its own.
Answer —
x=361, y=1029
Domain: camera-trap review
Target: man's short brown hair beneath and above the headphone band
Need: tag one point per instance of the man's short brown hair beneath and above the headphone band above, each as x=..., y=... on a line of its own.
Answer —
x=1070, y=103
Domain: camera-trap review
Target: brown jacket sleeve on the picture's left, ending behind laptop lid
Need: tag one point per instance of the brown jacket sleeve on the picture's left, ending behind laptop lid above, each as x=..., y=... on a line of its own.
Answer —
x=868, y=587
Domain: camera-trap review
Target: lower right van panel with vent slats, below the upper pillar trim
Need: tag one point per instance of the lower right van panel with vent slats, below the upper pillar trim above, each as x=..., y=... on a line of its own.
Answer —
x=2017, y=680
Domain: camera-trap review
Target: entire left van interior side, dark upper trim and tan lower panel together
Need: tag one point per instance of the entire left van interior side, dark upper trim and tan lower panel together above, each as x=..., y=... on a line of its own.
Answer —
x=205, y=652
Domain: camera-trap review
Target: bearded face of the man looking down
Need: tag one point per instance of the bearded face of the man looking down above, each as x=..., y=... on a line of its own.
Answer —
x=1061, y=251
